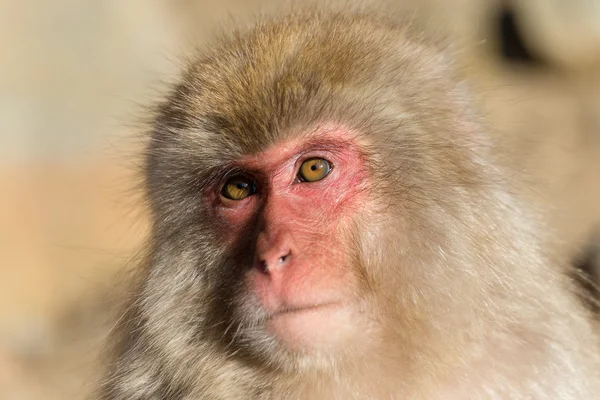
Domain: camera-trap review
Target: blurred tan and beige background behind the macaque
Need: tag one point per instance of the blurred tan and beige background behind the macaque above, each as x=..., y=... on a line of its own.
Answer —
x=75, y=75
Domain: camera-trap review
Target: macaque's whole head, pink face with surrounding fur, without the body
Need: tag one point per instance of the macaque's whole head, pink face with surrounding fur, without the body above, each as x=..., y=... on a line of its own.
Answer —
x=318, y=188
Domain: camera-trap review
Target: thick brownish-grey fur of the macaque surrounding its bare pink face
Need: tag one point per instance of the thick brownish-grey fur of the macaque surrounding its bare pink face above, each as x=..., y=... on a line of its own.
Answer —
x=462, y=301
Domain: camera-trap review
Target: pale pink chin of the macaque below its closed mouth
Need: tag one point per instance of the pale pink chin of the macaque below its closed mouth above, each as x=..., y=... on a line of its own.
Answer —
x=316, y=328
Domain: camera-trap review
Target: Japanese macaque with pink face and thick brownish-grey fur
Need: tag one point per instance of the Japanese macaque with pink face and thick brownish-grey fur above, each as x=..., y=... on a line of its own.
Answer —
x=329, y=223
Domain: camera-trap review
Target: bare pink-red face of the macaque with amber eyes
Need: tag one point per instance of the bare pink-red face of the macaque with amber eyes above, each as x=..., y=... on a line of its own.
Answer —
x=305, y=194
